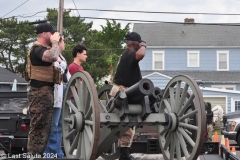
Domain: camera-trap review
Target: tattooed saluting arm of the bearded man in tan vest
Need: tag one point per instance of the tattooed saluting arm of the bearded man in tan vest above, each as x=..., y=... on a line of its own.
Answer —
x=52, y=54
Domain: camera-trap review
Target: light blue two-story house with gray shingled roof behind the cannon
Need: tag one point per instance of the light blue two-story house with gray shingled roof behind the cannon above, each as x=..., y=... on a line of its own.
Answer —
x=175, y=40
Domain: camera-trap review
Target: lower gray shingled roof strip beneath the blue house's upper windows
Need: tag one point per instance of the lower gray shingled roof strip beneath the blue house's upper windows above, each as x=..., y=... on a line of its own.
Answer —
x=204, y=76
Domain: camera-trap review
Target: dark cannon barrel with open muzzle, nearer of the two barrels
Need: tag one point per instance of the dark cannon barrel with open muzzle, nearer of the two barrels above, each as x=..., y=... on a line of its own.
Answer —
x=136, y=92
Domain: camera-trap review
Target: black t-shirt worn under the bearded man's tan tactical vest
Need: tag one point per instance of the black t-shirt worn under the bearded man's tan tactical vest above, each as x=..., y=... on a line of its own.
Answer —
x=36, y=60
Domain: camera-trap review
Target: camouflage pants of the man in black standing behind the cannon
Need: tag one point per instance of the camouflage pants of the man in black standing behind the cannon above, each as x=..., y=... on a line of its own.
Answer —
x=126, y=139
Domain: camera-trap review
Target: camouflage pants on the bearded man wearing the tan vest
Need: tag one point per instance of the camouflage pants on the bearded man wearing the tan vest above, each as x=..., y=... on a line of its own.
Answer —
x=41, y=110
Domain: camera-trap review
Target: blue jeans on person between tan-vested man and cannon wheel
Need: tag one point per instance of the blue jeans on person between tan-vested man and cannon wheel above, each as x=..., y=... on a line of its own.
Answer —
x=55, y=139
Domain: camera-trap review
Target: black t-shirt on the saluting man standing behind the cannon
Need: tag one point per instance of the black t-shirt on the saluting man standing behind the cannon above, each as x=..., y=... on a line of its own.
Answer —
x=128, y=70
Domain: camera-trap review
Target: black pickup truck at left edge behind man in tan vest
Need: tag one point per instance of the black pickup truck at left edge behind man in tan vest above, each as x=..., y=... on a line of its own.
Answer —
x=14, y=122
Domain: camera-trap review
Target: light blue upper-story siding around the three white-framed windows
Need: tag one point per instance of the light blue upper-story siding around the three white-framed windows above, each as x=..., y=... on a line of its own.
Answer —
x=176, y=59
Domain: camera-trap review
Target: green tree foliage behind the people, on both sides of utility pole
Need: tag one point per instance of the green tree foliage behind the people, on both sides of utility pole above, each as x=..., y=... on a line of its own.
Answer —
x=104, y=47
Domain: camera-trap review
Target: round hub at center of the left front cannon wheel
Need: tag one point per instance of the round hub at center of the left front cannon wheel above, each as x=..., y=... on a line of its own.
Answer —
x=77, y=121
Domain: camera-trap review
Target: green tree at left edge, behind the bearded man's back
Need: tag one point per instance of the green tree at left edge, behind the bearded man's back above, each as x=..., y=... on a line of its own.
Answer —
x=15, y=38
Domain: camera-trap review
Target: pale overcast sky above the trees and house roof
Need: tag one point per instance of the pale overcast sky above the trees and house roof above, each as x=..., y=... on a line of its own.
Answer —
x=31, y=7
